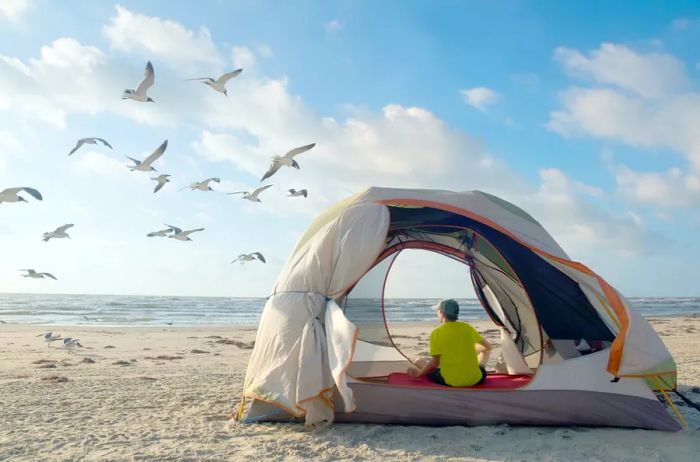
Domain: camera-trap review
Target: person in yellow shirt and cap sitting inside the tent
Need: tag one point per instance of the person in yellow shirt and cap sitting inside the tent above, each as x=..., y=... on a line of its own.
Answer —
x=458, y=351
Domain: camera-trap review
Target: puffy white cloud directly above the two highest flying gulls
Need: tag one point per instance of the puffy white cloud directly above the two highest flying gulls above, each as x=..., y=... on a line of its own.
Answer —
x=165, y=39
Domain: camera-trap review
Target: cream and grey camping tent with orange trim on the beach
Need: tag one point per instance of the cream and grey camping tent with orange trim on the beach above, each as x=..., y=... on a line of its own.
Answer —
x=323, y=355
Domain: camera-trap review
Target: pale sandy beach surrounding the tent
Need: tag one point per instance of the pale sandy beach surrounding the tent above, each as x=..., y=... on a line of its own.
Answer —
x=167, y=394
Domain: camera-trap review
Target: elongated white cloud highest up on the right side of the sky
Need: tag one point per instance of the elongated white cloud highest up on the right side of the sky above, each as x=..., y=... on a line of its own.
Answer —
x=651, y=75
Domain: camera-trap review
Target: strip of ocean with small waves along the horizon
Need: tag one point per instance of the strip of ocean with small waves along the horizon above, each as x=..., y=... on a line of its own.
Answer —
x=121, y=310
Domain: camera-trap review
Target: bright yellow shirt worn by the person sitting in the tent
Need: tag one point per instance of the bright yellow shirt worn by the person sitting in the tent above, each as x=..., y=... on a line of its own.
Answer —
x=455, y=342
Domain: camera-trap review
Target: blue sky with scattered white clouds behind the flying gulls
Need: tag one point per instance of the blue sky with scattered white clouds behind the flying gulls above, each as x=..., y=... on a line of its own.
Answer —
x=585, y=114
